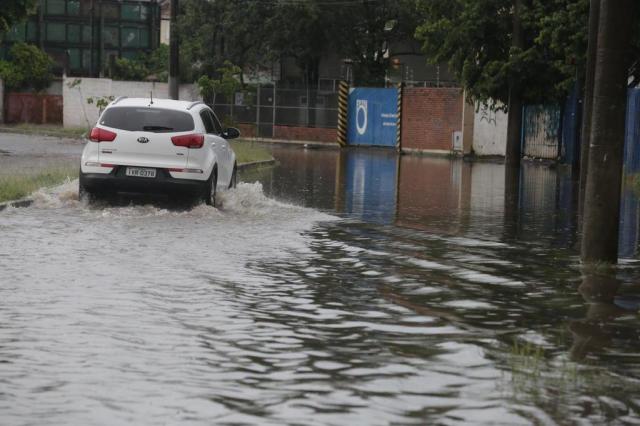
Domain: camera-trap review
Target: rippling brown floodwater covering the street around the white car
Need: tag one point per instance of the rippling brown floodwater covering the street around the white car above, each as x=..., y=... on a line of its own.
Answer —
x=354, y=288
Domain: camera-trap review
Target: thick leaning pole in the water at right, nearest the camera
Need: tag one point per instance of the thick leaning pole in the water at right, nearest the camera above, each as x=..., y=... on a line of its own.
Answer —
x=606, y=144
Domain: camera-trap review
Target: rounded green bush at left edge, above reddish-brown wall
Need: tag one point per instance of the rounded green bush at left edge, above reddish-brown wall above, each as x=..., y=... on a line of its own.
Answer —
x=29, y=68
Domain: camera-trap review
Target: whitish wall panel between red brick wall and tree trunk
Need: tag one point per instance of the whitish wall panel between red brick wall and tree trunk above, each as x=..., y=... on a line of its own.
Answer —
x=489, y=132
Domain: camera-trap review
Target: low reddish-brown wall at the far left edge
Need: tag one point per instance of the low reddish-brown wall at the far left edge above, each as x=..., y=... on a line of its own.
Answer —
x=33, y=108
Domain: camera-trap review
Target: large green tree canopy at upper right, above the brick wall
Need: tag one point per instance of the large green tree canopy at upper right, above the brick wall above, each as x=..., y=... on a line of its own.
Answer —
x=475, y=38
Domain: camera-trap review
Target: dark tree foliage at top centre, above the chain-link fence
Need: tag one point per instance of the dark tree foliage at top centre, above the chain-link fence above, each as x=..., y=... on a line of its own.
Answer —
x=254, y=34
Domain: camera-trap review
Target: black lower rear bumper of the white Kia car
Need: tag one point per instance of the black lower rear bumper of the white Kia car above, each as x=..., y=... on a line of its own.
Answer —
x=163, y=183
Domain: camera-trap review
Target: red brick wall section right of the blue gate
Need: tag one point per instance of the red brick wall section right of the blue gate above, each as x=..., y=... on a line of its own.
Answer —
x=430, y=115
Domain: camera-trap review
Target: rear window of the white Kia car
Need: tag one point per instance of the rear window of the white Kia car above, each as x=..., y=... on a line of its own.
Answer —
x=147, y=119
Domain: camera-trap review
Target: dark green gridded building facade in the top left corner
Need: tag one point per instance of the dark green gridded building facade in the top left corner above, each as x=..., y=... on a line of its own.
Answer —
x=83, y=36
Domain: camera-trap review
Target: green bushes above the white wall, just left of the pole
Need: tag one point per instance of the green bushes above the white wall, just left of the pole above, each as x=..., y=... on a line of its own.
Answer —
x=153, y=65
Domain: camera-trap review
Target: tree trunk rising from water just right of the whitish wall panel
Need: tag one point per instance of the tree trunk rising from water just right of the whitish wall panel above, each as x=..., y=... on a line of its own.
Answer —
x=514, y=122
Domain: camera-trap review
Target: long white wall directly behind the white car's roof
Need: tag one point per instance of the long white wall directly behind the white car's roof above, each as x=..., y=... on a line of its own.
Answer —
x=78, y=113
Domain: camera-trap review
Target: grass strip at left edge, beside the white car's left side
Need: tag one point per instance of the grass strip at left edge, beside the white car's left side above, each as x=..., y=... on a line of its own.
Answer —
x=20, y=186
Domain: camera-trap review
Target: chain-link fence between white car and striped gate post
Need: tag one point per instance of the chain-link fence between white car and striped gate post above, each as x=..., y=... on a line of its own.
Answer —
x=267, y=107
